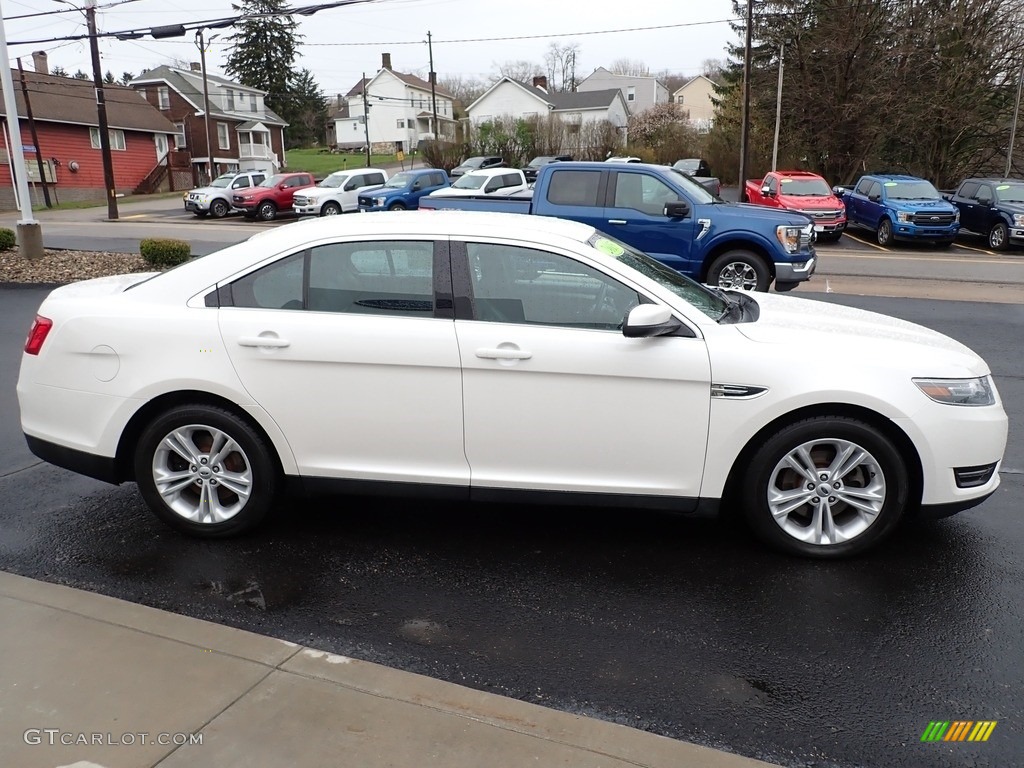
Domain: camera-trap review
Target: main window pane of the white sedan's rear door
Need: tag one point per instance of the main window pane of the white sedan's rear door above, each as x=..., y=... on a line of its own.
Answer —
x=373, y=278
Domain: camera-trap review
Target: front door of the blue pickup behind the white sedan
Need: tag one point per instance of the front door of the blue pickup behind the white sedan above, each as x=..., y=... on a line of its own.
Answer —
x=635, y=215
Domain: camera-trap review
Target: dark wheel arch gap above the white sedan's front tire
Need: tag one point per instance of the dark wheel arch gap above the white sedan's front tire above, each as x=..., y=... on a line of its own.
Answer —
x=901, y=440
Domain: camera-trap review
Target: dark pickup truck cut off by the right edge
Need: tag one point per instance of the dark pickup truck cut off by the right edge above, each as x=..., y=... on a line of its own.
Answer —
x=994, y=208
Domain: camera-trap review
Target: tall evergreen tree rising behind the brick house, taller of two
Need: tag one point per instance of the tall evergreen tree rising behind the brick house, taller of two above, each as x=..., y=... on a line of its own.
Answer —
x=264, y=51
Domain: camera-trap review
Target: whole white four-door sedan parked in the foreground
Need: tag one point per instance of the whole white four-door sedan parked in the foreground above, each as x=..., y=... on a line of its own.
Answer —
x=496, y=357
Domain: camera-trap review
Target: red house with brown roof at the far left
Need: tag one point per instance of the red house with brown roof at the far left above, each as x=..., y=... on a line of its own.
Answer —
x=67, y=125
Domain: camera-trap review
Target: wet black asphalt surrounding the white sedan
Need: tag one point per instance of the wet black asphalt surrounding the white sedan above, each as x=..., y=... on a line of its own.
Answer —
x=679, y=627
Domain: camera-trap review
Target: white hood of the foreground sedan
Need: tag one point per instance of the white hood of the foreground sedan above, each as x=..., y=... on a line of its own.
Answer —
x=803, y=325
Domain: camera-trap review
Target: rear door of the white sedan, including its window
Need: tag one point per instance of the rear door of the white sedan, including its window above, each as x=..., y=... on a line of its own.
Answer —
x=342, y=347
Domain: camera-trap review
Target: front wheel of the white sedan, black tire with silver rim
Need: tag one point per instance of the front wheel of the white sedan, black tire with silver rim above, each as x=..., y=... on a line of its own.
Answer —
x=825, y=435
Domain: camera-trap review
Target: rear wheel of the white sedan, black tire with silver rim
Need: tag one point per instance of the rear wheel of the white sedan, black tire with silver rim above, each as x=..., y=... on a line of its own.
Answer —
x=197, y=426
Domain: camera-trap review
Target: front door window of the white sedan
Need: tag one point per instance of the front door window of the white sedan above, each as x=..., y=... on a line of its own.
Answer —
x=513, y=284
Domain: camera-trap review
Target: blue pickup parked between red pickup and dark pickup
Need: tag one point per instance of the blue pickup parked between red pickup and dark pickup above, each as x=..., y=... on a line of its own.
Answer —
x=898, y=207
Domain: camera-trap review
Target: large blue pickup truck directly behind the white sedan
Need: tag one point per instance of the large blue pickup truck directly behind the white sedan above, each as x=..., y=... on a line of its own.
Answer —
x=670, y=217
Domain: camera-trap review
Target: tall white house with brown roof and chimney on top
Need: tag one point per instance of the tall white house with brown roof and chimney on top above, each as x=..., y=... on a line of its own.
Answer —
x=401, y=112
